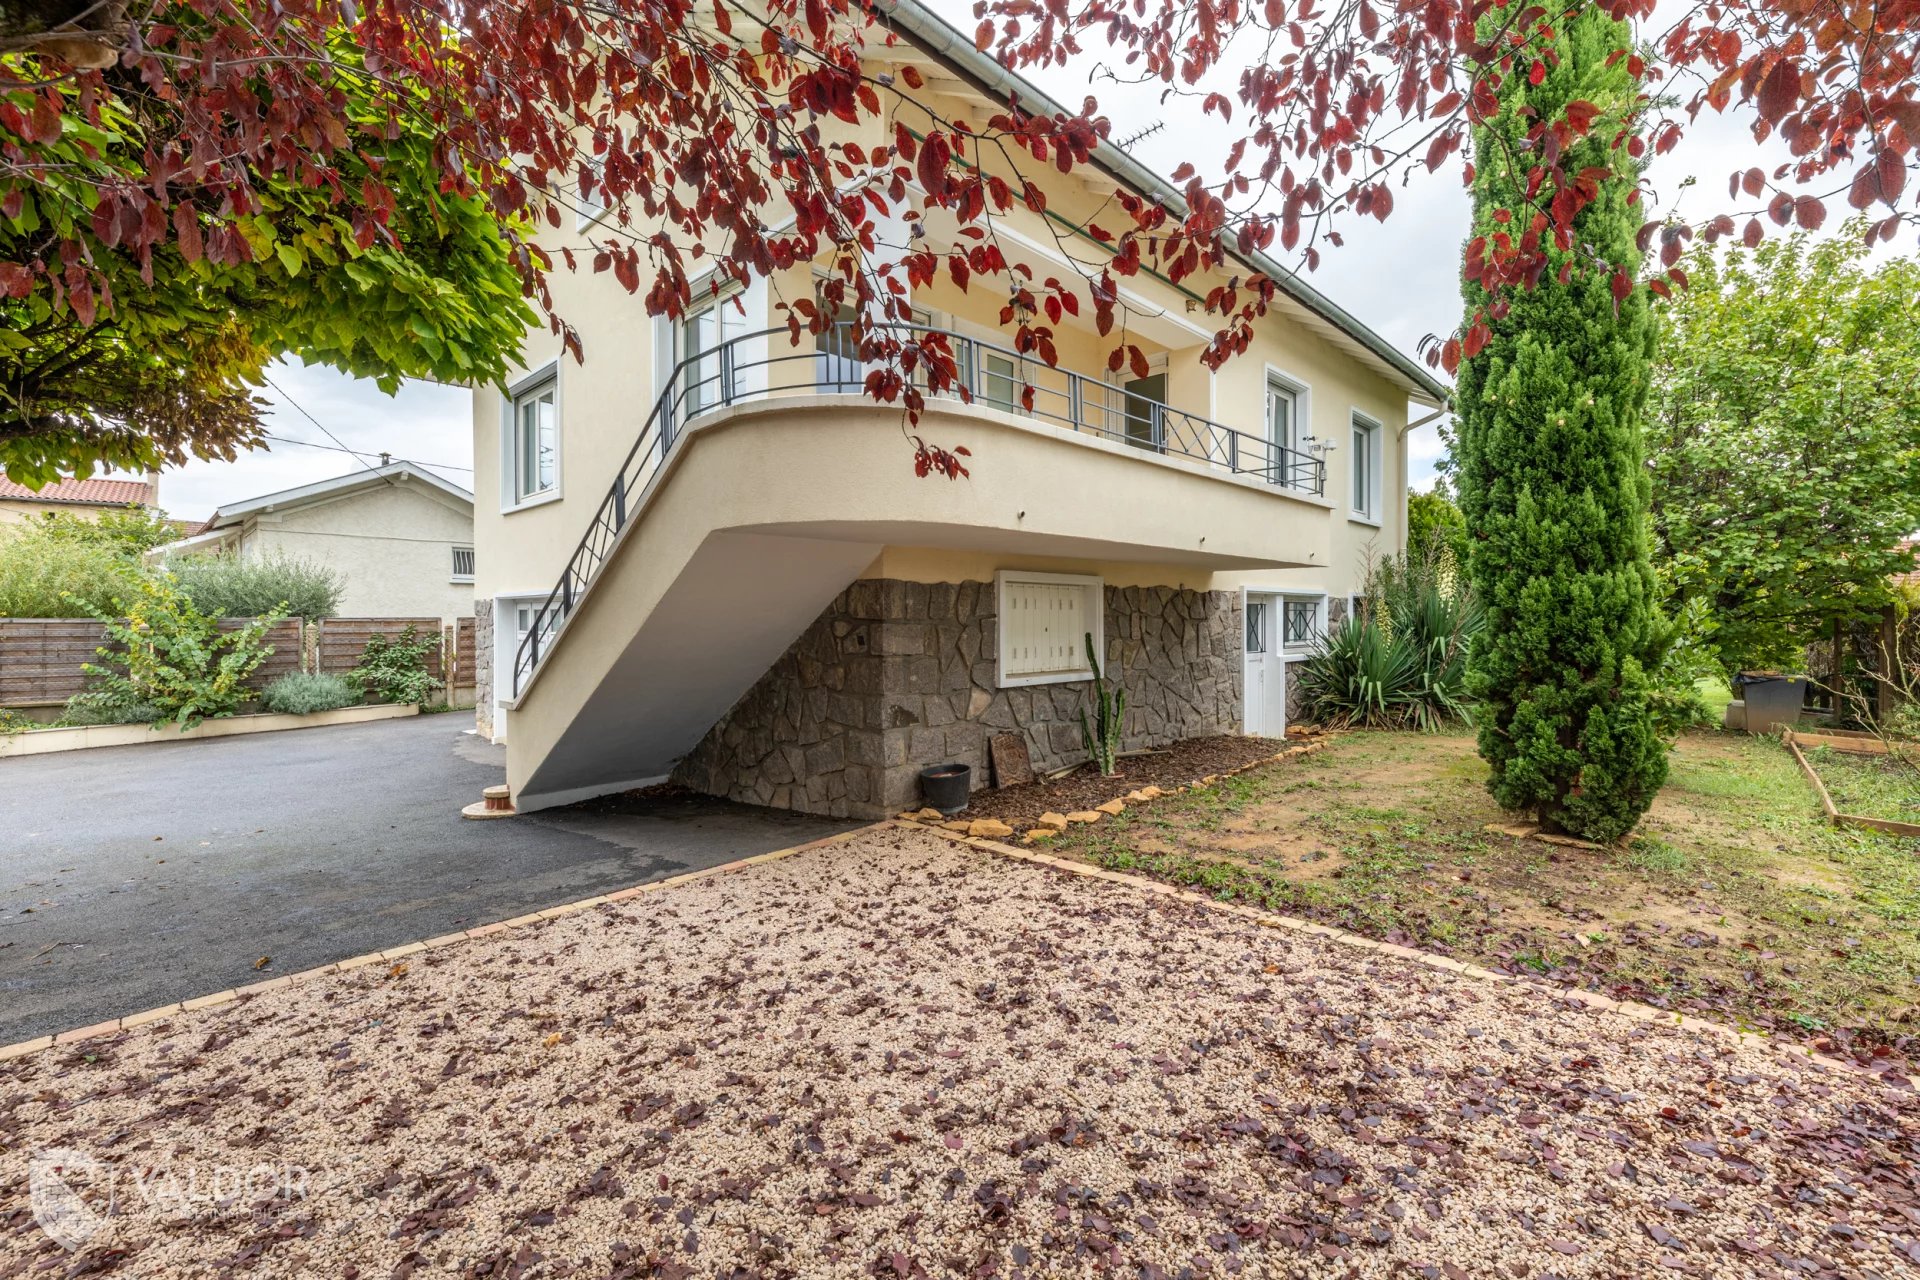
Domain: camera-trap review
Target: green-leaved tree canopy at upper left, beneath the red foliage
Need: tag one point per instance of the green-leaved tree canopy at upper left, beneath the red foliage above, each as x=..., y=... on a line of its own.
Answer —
x=153, y=354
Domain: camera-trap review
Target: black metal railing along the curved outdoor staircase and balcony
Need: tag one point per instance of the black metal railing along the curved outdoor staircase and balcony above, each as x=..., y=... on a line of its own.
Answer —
x=750, y=369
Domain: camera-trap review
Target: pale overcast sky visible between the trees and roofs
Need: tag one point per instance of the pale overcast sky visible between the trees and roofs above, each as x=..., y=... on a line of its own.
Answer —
x=1399, y=277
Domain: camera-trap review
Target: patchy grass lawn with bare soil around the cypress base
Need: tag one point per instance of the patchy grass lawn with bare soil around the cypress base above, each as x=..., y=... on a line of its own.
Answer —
x=1735, y=899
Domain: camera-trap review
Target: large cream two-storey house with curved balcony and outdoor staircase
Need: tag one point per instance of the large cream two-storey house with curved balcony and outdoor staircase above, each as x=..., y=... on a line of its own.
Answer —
x=704, y=554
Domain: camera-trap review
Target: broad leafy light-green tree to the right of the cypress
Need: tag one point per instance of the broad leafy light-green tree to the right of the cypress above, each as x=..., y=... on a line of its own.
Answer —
x=1785, y=435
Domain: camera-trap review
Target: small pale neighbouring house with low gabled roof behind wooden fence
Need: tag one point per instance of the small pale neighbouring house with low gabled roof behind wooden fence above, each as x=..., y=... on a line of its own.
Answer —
x=398, y=534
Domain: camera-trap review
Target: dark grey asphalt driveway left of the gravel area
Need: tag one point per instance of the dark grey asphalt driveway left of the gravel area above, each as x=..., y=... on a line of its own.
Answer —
x=139, y=876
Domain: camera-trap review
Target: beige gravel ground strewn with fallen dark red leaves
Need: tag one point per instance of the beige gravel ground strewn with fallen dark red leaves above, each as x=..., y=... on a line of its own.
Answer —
x=911, y=1058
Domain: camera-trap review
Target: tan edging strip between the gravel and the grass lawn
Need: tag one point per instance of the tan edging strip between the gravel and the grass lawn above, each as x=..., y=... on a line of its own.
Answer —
x=1445, y=964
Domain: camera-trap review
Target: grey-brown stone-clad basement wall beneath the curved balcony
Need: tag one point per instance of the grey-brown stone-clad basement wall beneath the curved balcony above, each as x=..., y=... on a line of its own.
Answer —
x=898, y=676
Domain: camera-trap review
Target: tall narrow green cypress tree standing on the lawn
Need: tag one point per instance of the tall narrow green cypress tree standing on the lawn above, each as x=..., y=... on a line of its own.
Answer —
x=1552, y=473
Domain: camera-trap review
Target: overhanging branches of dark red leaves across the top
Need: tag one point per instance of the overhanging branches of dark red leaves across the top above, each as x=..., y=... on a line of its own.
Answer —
x=711, y=128
